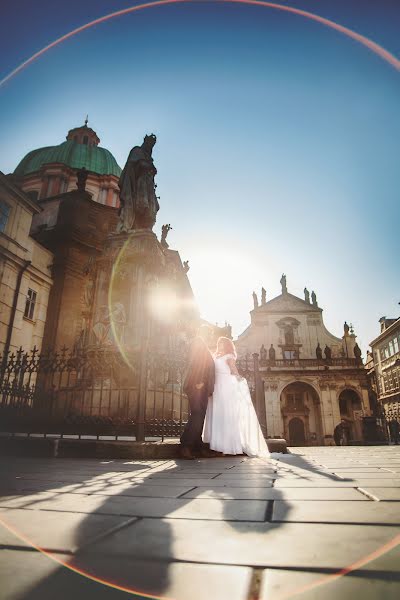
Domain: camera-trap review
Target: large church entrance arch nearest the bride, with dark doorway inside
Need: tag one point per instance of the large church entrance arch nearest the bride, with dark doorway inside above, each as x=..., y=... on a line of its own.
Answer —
x=301, y=412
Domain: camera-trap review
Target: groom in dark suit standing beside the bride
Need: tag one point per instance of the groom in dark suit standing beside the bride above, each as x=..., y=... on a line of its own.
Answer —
x=198, y=386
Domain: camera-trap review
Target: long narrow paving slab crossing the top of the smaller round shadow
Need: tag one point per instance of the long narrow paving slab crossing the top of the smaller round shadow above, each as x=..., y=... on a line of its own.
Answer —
x=238, y=493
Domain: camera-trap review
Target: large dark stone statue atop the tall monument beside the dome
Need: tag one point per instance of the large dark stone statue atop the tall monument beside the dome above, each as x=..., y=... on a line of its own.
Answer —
x=139, y=203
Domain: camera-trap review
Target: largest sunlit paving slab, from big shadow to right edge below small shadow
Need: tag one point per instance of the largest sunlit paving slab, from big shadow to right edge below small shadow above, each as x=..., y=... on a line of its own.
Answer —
x=258, y=544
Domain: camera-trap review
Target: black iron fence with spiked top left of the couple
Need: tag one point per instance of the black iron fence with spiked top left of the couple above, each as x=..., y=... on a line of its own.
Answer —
x=93, y=392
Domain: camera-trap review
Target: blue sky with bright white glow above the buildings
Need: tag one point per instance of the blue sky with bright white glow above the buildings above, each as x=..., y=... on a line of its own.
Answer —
x=278, y=139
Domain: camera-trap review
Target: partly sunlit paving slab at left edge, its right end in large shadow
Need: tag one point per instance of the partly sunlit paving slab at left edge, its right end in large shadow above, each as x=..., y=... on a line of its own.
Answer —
x=55, y=530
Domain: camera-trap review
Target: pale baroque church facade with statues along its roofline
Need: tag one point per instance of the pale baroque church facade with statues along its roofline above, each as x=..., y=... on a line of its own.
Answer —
x=312, y=379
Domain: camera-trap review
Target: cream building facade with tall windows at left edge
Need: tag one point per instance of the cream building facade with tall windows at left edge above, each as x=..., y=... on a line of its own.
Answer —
x=25, y=272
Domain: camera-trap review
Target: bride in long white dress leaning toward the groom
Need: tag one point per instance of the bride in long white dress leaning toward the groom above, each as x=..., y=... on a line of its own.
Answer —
x=231, y=424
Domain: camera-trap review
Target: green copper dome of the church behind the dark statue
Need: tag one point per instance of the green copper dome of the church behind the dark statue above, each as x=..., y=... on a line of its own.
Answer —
x=74, y=155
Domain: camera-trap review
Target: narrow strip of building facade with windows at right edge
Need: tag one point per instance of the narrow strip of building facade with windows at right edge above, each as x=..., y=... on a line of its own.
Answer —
x=384, y=367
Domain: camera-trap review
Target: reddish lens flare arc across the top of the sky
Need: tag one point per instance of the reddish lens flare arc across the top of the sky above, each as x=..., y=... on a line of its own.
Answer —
x=365, y=41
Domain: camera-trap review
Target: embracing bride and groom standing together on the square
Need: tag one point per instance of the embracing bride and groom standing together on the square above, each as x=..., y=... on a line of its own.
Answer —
x=222, y=414
